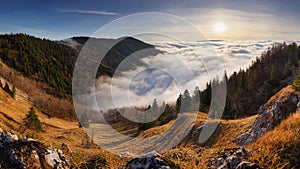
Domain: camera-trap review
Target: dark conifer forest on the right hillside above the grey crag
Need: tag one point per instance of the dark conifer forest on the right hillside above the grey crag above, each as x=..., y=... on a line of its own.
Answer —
x=250, y=88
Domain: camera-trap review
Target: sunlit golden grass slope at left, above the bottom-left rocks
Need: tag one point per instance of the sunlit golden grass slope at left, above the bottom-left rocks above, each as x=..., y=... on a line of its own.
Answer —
x=56, y=130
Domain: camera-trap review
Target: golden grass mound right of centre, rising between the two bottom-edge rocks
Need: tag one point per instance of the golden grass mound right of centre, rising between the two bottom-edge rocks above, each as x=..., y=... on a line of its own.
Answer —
x=191, y=155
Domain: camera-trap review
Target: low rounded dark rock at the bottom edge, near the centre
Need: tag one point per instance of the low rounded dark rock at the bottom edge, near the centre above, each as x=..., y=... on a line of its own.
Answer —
x=147, y=162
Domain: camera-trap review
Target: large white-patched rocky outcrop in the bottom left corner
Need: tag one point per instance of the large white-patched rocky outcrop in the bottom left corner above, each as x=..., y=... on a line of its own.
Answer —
x=28, y=153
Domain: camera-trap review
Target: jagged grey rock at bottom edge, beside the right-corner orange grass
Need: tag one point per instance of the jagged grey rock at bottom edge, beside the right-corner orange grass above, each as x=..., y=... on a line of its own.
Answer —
x=235, y=158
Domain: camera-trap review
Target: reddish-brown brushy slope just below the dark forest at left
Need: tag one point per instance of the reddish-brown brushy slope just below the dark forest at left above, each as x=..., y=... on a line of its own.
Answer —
x=39, y=93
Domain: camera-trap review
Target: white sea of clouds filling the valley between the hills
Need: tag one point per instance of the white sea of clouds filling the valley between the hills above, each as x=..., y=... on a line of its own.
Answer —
x=178, y=67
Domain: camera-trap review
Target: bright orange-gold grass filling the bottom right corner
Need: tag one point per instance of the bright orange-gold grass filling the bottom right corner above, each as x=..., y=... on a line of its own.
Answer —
x=279, y=148
